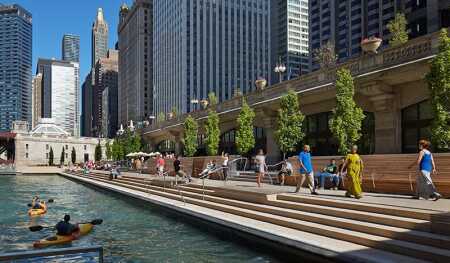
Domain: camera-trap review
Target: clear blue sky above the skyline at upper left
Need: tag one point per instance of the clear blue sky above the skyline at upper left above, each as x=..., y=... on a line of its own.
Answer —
x=54, y=18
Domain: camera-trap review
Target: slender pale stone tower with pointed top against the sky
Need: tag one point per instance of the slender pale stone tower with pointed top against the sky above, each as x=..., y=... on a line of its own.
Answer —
x=99, y=38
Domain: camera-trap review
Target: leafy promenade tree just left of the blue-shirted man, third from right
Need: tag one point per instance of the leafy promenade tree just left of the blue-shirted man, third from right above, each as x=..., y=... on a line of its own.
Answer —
x=289, y=130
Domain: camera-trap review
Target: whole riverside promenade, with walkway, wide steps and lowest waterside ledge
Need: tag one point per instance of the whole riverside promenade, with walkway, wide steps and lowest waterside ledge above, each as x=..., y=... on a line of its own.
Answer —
x=324, y=228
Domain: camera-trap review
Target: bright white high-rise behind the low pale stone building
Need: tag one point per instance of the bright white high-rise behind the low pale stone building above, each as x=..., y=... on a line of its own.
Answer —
x=60, y=93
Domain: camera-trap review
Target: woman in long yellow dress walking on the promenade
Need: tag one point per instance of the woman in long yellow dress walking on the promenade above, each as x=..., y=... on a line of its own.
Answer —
x=354, y=165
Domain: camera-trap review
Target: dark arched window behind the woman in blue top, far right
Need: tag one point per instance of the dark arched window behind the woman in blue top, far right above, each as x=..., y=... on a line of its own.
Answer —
x=416, y=124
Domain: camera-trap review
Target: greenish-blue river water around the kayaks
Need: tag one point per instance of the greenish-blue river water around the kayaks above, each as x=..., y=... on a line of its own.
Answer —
x=131, y=231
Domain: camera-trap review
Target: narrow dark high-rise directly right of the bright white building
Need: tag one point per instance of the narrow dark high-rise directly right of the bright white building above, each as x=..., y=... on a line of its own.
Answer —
x=86, y=107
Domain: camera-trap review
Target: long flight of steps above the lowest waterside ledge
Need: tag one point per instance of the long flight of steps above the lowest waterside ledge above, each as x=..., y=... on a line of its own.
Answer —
x=293, y=214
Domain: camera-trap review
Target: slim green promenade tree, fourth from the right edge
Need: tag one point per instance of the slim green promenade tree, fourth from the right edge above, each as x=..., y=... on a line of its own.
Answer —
x=245, y=139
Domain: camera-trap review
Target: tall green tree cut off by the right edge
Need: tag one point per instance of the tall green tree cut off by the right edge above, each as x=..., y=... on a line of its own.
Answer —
x=439, y=85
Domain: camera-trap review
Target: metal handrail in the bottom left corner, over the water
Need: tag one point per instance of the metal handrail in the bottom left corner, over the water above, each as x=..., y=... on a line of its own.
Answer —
x=52, y=252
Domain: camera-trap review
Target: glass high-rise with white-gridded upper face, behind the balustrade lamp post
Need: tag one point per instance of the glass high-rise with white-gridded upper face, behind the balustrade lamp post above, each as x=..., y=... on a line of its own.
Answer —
x=290, y=26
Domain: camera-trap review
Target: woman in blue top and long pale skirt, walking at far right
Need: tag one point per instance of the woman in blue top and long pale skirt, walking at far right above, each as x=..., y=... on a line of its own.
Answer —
x=424, y=184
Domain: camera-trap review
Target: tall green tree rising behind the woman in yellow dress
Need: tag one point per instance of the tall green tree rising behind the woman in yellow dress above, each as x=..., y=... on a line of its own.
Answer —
x=346, y=122
